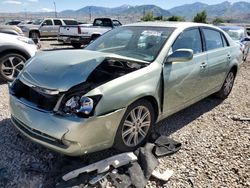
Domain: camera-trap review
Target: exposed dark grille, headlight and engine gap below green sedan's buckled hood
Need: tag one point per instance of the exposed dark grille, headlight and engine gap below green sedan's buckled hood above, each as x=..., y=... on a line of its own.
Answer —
x=73, y=101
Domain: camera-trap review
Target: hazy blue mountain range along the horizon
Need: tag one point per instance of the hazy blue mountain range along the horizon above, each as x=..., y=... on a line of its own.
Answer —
x=233, y=11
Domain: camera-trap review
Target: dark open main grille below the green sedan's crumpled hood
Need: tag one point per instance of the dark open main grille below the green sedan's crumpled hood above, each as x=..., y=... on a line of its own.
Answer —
x=40, y=100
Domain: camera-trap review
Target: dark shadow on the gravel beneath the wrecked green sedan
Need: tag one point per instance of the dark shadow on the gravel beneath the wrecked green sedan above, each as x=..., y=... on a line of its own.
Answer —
x=58, y=164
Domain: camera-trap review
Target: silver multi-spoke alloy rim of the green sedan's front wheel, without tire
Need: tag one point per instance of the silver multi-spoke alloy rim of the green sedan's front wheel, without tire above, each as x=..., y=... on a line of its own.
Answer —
x=136, y=126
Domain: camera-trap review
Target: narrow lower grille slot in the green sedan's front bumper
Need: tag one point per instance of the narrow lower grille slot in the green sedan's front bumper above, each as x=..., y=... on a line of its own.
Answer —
x=37, y=134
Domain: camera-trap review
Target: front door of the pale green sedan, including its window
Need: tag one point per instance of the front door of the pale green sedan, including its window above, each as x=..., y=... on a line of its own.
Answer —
x=182, y=80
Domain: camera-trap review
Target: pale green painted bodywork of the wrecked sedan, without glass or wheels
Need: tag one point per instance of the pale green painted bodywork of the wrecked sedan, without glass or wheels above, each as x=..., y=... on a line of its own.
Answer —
x=171, y=85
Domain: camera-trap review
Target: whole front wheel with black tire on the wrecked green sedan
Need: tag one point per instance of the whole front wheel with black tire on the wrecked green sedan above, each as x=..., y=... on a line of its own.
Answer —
x=135, y=126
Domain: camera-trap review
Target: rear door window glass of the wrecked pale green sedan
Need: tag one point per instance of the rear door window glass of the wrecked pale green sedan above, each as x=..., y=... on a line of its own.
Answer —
x=213, y=39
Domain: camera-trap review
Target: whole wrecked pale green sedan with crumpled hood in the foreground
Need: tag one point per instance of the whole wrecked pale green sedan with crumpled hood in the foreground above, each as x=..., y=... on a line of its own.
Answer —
x=115, y=90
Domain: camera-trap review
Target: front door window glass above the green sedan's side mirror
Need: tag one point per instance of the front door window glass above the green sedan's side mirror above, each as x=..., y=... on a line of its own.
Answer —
x=189, y=39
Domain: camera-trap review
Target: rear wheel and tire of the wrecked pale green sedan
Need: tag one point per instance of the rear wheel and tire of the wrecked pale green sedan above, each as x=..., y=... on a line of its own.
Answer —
x=227, y=85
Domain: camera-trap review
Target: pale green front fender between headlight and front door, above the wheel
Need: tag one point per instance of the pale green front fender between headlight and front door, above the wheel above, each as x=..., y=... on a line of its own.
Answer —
x=123, y=91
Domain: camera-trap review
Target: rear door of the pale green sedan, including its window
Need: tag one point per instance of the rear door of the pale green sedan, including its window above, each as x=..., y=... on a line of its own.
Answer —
x=218, y=58
